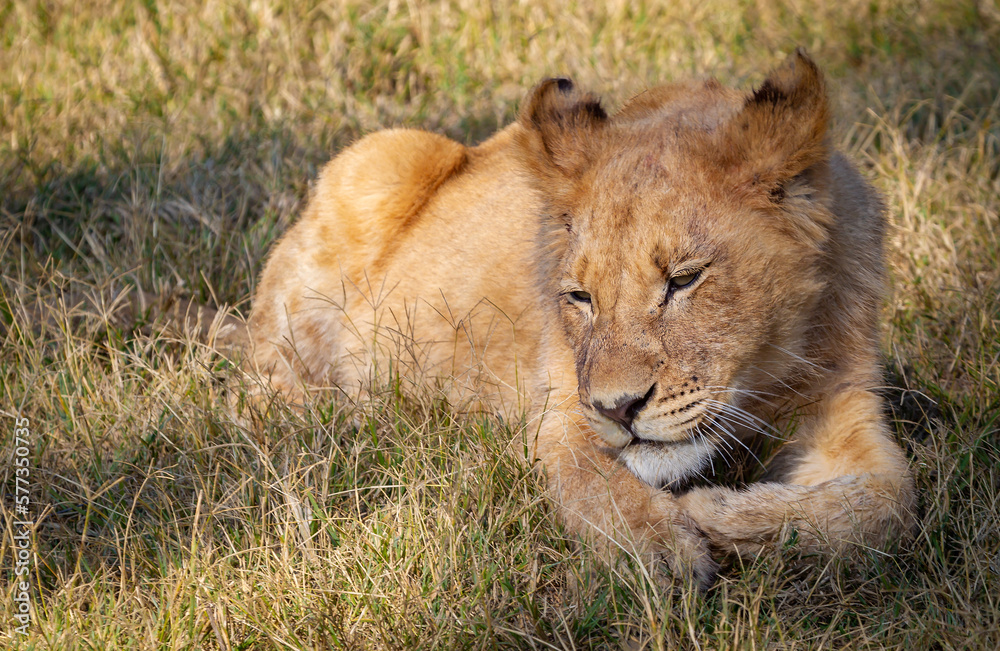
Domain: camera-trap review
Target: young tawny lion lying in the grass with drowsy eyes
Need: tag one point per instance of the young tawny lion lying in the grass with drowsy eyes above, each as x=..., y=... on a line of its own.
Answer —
x=659, y=291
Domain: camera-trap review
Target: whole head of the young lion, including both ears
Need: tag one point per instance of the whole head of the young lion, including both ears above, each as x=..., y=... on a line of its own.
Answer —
x=685, y=240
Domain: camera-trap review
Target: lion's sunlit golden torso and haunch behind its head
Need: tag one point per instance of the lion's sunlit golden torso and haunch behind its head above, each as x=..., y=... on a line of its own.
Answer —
x=409, y=235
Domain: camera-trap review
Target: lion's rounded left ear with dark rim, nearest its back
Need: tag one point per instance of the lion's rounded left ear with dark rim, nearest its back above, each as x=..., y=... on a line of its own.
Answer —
x=560, y=123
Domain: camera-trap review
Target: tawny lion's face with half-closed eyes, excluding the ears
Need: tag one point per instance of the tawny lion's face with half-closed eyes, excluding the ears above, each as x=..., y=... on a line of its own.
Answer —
x=677, y=302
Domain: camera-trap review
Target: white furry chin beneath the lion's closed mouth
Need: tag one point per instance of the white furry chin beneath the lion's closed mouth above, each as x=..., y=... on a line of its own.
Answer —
x=663, y=465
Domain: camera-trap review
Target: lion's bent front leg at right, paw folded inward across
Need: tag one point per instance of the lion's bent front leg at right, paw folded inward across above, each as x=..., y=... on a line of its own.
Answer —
x=844, y=481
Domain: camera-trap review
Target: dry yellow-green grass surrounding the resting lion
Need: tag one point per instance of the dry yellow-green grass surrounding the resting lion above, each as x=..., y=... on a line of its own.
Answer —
x=165, y=145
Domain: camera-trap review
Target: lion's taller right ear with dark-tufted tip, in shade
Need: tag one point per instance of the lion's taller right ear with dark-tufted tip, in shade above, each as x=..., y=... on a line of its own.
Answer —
x=780, y=132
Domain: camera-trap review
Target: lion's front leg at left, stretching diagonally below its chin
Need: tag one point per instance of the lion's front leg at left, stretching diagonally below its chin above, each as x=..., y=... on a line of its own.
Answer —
x=601, y=500
